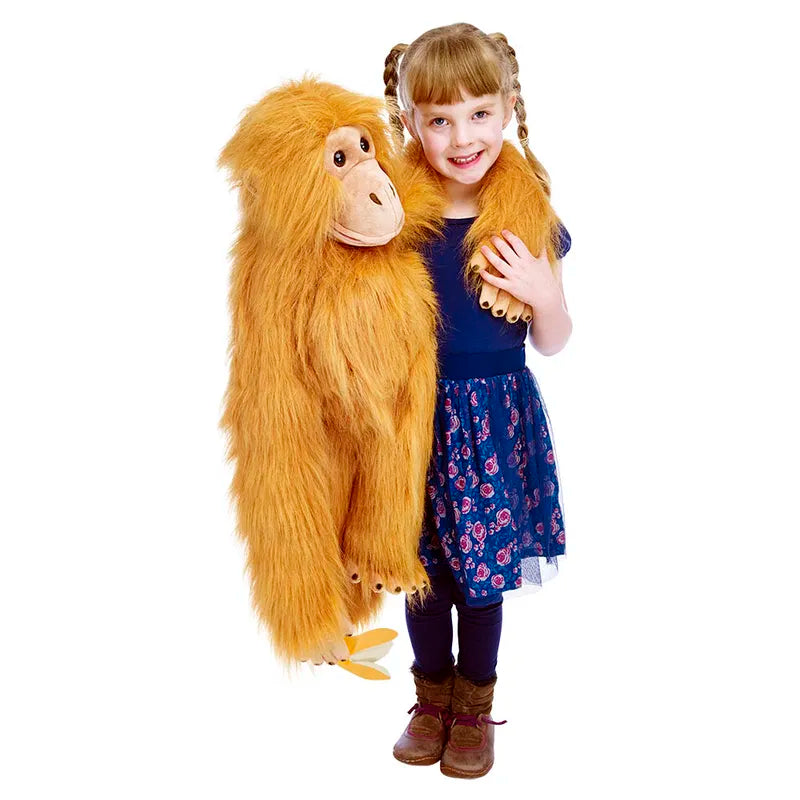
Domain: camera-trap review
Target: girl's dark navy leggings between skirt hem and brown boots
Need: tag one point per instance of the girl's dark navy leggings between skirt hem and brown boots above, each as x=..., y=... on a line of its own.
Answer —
x=431, y=633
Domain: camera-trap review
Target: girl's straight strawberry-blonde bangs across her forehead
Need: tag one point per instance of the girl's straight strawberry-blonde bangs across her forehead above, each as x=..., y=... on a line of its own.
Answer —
x=447, y=67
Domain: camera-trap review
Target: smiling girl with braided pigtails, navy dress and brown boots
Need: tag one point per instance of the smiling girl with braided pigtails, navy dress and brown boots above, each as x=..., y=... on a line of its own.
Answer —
x=493, y=515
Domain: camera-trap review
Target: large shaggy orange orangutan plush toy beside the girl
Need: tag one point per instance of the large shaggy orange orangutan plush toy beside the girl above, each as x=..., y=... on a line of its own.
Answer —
x=330, y=401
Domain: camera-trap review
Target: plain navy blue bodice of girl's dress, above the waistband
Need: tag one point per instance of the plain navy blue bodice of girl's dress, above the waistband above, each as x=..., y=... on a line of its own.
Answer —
x=467, y=328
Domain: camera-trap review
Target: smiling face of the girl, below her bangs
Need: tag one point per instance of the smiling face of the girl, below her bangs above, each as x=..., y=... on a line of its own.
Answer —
x=461, y=141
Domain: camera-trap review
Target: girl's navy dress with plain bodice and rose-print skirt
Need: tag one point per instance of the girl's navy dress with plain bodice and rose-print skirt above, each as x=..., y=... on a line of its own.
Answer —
x=493, y=511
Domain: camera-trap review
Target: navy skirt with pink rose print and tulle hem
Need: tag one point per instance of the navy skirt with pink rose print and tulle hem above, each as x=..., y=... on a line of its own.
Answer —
x=493, y=512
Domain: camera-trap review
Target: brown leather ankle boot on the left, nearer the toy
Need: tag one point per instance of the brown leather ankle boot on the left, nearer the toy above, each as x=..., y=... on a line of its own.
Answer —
x=425, y=735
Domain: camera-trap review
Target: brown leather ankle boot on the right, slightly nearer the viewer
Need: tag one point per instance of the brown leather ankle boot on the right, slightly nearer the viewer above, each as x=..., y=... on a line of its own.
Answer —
x=470, y=747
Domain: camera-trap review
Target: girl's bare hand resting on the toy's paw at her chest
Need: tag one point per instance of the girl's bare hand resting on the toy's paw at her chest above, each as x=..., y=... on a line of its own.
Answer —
x=530, y=279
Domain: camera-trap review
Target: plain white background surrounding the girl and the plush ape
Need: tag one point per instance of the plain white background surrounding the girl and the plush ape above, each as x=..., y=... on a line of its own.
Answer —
x=659, y=663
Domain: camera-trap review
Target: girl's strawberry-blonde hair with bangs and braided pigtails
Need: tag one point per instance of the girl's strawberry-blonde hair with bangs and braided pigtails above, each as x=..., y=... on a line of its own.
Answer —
x=436, y=66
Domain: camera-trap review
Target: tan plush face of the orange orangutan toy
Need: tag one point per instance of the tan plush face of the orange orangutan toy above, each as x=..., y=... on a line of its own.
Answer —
x=372, y=214
